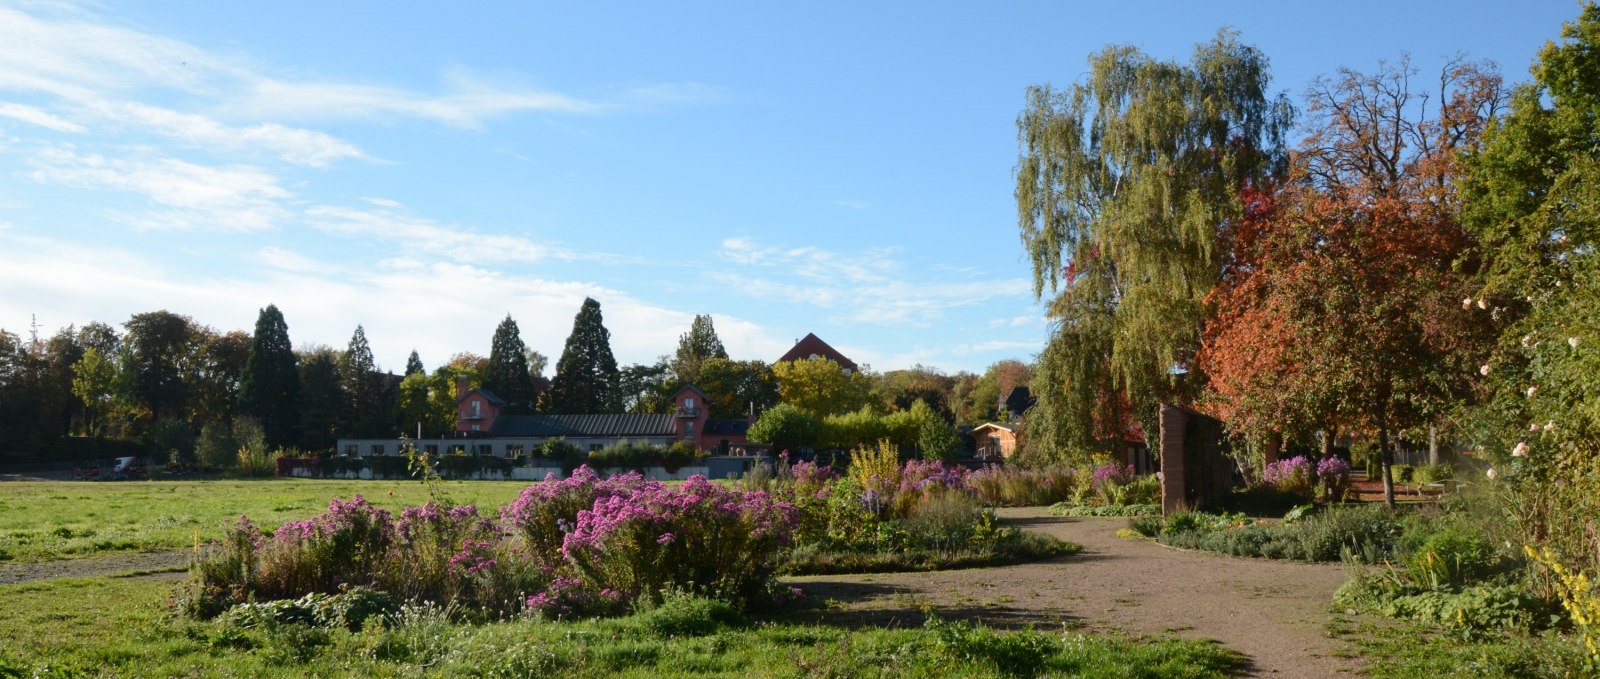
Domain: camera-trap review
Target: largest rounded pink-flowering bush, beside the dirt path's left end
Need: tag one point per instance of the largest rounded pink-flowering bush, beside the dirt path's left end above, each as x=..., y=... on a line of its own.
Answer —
x=698, y=537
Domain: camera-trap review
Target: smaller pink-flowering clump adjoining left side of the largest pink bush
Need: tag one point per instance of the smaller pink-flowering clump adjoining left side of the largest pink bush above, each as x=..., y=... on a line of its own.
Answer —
x=545, y=513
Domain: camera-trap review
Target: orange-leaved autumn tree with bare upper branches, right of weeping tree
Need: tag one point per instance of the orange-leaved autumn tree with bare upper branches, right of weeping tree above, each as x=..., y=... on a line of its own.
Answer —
x=1338, y=305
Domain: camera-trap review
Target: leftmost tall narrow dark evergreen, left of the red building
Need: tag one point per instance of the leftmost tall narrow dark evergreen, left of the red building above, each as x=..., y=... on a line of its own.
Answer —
x=271, y=387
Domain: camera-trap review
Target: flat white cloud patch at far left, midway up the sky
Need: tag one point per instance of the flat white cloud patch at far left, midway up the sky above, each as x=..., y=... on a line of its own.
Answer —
x=191, y=196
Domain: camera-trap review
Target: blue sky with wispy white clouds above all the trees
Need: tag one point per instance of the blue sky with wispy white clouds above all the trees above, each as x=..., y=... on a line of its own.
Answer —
x=426, y=171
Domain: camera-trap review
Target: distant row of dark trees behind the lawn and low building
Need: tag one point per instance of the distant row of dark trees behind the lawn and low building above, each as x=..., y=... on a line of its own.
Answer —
x=169, y=387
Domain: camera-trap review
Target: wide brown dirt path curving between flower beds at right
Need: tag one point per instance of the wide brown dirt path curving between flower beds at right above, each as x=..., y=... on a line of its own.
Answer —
x=1270, y=611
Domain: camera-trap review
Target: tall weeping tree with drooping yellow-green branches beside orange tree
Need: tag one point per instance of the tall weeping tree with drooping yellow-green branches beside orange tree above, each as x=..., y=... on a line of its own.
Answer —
x=1124, y=183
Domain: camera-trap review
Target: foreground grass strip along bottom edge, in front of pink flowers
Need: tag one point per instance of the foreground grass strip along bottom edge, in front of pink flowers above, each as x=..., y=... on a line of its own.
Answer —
x=119, y=627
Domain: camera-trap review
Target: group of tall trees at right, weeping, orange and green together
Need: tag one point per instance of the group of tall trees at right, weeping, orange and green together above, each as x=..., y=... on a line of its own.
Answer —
x=1415, y=267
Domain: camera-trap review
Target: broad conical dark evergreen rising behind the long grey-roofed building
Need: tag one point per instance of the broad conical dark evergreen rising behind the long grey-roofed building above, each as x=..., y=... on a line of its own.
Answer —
x=586, y=376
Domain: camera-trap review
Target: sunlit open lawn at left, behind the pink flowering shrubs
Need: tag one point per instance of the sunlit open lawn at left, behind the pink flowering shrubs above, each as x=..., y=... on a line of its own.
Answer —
x=46, y=521
